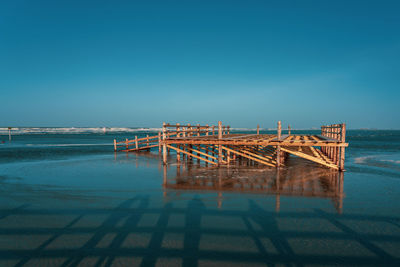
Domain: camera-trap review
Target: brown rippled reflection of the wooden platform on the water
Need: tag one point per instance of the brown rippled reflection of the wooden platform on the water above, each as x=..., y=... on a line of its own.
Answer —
x=307, y=181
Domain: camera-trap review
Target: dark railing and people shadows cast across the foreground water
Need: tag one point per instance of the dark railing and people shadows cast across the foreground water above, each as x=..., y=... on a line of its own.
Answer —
x=195, y=234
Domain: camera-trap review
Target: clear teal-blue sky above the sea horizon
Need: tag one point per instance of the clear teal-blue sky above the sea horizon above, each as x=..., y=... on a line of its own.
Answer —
x=139, y=63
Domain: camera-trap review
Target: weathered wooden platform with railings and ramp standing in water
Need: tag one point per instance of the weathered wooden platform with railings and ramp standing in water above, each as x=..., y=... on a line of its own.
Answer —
x=216, y=145
